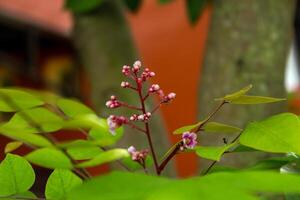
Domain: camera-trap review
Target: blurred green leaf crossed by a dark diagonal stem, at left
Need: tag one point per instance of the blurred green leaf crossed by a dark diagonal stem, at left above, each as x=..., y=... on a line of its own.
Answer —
x=35, y=120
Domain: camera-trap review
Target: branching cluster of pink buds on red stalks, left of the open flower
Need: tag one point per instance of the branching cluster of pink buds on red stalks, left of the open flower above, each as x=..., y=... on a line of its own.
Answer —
x=138, y=76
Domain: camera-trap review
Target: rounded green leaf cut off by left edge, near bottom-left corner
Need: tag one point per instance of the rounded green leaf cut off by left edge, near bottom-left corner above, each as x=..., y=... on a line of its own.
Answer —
x=16, y=175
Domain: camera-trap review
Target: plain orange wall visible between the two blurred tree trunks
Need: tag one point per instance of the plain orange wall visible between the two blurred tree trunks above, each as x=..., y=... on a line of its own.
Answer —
x=173, y=48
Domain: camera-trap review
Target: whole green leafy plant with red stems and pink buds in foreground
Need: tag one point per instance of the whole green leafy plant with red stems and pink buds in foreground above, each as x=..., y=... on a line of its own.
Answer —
x=36, y=116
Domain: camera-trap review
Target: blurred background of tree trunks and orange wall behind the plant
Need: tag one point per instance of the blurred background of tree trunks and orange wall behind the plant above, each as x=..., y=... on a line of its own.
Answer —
x=200, y=49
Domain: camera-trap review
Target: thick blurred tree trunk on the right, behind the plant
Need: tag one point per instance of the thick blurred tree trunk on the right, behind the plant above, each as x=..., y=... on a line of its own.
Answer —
x=248, y=43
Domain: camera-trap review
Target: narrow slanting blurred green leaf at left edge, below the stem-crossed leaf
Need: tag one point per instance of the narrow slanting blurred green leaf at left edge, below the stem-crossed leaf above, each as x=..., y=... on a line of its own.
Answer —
x=17, y=133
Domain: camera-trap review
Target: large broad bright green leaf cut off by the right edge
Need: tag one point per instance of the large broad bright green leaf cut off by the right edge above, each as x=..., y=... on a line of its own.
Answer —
x=277, y=134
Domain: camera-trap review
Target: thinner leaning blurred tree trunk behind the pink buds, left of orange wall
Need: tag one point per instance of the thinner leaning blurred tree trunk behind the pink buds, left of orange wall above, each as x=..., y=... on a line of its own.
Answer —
x=104, y=45
